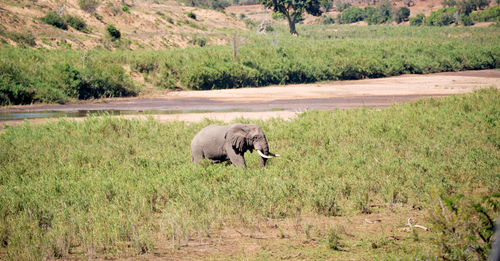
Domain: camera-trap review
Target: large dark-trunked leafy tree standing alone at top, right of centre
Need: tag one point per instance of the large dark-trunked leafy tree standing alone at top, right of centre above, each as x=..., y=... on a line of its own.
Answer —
x=293, y=9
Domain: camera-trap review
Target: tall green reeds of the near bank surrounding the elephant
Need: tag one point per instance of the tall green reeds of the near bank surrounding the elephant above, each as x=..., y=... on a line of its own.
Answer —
x=114, y=186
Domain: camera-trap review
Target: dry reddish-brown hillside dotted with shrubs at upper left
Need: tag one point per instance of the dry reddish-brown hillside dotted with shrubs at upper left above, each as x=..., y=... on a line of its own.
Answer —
x=145, y=24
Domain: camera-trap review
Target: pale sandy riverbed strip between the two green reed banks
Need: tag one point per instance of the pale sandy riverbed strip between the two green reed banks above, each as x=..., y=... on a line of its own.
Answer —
x=281, y=101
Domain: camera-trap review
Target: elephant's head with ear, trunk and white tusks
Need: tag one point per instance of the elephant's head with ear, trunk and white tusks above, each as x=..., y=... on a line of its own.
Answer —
x=250, y=137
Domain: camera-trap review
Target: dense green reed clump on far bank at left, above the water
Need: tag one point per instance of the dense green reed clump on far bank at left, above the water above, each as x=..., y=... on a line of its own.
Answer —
x=45, y=79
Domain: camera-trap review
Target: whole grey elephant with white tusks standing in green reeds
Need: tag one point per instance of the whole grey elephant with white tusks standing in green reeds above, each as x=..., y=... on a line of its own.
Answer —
x=230, y=142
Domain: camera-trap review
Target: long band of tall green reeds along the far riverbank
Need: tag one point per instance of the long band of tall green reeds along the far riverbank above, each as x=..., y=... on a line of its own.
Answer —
x=320, y=53
